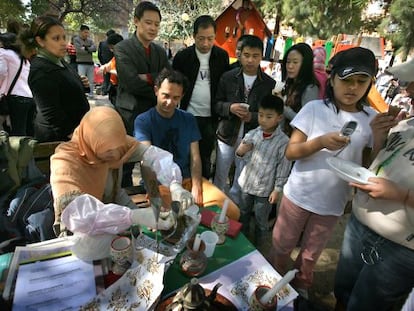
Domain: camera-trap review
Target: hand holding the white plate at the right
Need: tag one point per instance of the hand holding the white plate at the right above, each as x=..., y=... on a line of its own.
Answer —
x=381, y=188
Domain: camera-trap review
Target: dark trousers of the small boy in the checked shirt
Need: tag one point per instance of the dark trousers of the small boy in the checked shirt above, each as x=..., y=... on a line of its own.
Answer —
x=261, y=207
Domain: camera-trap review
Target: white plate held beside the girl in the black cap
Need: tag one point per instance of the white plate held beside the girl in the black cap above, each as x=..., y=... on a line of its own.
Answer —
x=350, y=171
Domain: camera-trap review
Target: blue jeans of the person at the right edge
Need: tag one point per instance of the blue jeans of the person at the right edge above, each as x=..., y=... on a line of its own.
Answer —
x=373, y=273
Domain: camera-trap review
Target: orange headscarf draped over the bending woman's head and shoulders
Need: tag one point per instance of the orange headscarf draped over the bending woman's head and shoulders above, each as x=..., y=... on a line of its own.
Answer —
x=75, y=166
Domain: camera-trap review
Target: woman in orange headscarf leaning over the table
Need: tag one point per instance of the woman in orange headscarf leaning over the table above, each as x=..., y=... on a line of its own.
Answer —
x=91, y=162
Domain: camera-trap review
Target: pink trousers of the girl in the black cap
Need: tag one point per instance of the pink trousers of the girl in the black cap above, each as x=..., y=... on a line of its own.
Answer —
x=291, y=221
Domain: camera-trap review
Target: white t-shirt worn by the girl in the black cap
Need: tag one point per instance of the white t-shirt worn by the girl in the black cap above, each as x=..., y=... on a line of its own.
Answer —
x=311, y=184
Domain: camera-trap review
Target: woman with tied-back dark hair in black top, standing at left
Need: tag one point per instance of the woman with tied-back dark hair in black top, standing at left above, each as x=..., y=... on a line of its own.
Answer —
x=58, y=91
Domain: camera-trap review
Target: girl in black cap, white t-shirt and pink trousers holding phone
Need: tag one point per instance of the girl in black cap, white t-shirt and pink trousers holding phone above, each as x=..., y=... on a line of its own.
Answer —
x=314, y=196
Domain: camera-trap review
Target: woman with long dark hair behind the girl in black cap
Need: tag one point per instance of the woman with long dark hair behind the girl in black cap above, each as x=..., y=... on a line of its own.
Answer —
x=301, y=85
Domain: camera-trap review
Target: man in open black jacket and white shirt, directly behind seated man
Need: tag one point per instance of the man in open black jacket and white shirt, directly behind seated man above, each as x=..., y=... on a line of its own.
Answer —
x=203, y=64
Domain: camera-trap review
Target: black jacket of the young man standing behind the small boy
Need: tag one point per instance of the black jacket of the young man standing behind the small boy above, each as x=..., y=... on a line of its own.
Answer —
x=231, y=90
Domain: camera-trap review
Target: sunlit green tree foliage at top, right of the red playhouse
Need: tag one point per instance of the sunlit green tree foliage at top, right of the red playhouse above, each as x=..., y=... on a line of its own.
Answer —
x=324, y=18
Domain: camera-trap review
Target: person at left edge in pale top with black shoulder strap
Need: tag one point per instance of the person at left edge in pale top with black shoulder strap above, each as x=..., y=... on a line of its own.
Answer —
x=19, y=111
